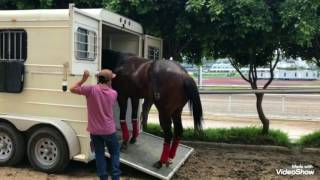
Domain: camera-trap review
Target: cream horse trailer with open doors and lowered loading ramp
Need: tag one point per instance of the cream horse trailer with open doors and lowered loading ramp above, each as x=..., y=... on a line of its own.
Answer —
x=41, y=52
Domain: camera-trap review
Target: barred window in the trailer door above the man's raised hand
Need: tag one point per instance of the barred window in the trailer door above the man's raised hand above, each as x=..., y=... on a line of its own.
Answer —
x=86, y=48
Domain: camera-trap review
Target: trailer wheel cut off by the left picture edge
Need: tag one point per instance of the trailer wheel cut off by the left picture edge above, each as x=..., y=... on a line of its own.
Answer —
x=12, y=145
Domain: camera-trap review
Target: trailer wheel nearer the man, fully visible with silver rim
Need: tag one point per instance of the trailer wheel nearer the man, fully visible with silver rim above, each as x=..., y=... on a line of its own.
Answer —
x=48, y=150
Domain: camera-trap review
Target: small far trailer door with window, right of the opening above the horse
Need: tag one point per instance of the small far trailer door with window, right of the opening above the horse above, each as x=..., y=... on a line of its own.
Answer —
x=152, y=47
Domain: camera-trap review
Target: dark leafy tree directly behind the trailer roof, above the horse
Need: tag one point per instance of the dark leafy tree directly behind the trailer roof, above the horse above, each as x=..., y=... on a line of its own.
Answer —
x=167, y=19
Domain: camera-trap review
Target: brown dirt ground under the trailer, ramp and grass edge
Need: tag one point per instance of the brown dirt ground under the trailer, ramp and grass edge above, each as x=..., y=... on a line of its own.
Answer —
x=207, y=162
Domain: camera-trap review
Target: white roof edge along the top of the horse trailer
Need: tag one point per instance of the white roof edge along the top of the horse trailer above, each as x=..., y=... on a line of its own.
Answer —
x=107, y=17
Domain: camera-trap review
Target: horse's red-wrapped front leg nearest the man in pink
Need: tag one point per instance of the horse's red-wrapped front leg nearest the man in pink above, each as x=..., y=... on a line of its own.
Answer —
x=124, y=128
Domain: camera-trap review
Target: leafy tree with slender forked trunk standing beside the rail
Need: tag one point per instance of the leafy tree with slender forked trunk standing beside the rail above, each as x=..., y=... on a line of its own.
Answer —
x=248, y=32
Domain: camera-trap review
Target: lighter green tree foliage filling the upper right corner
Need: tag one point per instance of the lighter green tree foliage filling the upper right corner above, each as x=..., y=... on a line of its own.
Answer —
x=302, y=21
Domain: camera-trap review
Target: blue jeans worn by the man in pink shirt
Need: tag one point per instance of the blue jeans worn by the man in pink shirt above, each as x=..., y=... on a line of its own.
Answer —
x=111, y=142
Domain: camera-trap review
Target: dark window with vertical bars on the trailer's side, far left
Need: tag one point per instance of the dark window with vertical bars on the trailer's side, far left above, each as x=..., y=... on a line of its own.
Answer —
x=13, y=45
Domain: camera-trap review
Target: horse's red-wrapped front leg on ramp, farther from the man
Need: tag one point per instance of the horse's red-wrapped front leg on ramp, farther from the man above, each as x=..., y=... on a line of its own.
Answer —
x=135, y=123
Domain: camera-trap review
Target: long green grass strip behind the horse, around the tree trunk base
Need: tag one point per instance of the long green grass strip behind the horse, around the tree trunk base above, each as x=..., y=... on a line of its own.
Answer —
x=248, y=135
